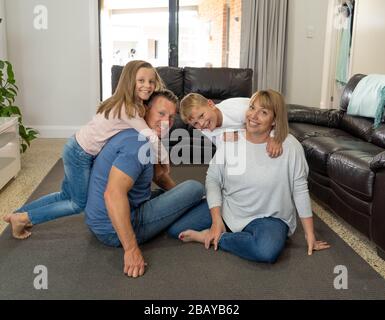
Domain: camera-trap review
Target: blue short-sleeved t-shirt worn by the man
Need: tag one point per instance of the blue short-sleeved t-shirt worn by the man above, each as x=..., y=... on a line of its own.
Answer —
x=129, y=152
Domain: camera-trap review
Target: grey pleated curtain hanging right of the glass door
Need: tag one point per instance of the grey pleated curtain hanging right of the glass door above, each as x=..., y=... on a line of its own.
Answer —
x=263, y=40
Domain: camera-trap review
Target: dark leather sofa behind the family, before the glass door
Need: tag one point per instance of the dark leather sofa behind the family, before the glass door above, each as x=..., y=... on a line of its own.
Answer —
x=187, y=145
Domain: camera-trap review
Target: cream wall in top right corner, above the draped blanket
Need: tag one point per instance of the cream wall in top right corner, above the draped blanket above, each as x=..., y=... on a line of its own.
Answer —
x=368, y=46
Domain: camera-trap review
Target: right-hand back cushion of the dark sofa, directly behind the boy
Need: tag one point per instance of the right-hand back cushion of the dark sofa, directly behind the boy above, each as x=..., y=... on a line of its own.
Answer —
x=218, y=83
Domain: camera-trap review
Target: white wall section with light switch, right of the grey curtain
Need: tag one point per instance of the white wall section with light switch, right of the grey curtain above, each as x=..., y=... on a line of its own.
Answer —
x=305, y=52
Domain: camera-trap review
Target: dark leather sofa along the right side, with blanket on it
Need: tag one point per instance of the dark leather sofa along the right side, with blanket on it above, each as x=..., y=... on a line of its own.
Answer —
x=346, y=157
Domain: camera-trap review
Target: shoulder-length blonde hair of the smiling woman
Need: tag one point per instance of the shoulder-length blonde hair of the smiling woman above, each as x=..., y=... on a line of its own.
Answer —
x=274, y=101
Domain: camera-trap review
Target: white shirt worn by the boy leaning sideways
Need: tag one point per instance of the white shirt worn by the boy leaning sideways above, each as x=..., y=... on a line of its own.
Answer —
x=234, y=118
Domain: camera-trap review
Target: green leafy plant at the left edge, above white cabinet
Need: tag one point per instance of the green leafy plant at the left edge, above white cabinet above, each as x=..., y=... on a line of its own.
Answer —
x=8, y=92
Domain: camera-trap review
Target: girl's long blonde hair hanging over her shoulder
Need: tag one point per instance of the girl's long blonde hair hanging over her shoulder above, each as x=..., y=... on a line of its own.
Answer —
x=124, y=94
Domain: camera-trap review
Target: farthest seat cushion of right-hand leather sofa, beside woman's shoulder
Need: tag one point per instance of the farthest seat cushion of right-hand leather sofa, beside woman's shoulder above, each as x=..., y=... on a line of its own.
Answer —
x=304, y=131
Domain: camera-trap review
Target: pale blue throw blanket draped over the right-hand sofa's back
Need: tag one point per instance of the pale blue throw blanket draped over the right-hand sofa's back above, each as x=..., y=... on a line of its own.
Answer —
x=368, y=98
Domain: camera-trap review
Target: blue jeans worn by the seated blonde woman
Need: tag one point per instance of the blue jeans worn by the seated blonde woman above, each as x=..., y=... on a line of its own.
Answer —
x=262, y=240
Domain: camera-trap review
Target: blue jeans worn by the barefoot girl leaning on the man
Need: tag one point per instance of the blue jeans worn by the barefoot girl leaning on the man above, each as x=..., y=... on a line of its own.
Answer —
x=72, y=198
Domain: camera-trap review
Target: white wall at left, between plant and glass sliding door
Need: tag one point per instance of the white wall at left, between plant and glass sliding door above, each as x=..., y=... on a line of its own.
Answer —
x=57, y=69
